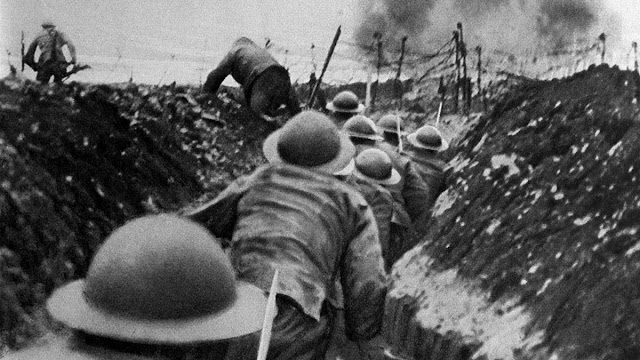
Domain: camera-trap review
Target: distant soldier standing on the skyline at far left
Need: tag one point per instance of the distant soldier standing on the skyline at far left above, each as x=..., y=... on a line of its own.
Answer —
x=52, y=61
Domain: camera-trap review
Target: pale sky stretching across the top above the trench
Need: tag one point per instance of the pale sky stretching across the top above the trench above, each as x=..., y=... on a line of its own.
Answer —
x=201, y=31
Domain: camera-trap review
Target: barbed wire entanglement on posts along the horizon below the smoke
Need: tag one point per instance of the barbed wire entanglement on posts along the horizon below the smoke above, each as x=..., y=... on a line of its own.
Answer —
x=463, y=75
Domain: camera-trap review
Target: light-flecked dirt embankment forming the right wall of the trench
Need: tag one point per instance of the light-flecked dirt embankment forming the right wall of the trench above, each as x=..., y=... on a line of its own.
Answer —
x=533, y=250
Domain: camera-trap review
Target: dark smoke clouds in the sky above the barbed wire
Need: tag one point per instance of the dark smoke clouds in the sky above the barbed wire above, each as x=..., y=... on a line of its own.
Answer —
x=508, y=25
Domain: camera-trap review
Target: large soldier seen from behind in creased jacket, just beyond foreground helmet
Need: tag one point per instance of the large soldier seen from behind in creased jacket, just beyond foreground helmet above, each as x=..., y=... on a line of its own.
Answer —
x=295, y=216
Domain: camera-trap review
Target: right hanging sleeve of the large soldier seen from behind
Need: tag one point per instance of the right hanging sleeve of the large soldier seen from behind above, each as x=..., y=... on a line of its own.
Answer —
x=363, y=279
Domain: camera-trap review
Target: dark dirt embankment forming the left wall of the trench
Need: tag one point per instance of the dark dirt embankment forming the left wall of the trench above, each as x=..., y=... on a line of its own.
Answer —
x=79, y=160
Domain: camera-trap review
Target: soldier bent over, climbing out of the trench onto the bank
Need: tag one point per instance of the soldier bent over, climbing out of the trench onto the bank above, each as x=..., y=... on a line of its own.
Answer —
x=265, y=82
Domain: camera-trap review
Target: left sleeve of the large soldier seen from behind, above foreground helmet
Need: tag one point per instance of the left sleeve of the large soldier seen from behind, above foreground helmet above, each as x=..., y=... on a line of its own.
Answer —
x=219, y=215
